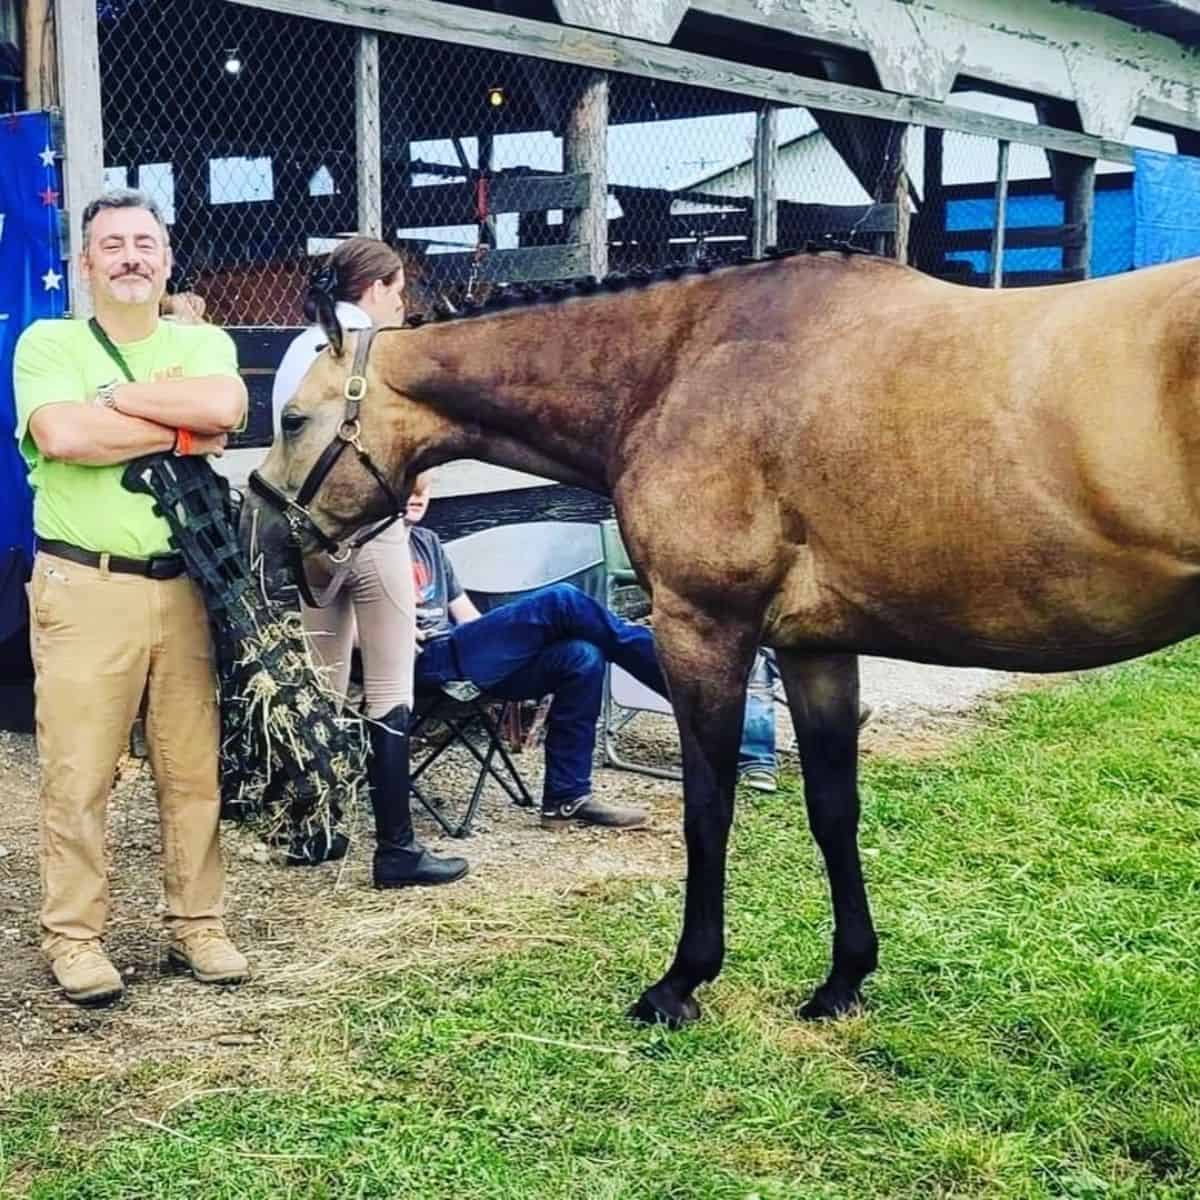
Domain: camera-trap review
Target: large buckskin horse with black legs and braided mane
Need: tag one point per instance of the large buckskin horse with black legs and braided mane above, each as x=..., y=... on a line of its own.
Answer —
x=833, y=457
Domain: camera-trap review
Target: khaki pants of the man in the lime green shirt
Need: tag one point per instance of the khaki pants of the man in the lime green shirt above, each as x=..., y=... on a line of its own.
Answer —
x=100, y=640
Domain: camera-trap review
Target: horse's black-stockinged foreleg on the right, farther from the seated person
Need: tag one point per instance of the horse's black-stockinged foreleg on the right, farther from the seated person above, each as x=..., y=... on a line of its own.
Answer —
x=823, y=694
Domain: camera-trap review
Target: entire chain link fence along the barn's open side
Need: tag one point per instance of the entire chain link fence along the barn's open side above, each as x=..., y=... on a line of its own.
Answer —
x=266, y=137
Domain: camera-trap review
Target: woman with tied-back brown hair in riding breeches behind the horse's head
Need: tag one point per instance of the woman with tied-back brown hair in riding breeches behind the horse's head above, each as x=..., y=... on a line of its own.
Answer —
x=362, y=284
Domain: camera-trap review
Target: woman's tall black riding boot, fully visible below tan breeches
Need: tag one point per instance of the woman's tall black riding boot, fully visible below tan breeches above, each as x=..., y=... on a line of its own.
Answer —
x=400, y=860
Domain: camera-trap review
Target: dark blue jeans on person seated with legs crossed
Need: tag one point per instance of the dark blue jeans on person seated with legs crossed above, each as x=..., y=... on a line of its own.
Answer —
x=555, y=641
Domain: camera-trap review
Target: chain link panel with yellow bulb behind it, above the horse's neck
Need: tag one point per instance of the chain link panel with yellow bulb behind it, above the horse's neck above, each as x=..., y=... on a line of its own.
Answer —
x=478, y=189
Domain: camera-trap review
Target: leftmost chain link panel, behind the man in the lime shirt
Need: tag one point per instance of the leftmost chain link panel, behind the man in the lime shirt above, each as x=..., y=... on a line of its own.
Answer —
x=241, y=123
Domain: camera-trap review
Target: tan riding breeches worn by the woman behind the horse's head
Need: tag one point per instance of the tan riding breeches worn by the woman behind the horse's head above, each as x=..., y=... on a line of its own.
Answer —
x=375, y=599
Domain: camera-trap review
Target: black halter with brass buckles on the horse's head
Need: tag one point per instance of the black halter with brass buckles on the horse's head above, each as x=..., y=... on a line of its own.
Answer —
x=296, y=512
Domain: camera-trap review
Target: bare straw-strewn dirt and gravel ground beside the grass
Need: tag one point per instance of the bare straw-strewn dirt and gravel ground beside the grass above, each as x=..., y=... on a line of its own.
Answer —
x=313, y=932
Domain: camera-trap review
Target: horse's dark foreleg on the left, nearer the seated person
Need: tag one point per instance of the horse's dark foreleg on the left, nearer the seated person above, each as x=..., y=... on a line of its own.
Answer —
x=707, y=665
